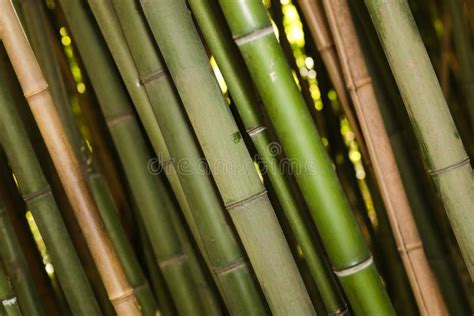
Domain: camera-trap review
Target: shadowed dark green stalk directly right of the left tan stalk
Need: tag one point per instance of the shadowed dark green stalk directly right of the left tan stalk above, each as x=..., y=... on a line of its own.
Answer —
x=38, y=30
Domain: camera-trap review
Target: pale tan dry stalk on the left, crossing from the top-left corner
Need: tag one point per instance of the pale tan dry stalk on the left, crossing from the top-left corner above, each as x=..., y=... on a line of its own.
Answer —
x=41, y=104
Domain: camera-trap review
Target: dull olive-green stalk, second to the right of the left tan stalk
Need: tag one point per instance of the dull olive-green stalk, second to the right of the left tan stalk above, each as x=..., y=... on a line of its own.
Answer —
x=153, y=204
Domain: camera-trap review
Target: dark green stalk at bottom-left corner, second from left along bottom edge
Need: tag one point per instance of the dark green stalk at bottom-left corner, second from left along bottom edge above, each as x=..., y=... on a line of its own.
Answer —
x=16, y=266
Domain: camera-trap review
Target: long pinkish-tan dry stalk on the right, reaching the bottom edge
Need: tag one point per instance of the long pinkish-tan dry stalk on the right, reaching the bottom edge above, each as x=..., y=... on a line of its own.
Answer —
x=359, y=84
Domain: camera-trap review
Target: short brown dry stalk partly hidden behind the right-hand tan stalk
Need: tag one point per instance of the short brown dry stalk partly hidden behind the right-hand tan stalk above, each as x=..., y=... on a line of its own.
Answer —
x=316, y=20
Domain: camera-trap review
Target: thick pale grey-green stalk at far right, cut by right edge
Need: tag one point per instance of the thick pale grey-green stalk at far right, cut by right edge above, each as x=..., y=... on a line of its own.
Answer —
x=445, y=158
